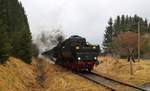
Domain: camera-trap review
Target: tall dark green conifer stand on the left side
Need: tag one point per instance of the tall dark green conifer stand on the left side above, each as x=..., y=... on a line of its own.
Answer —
x=15, y=35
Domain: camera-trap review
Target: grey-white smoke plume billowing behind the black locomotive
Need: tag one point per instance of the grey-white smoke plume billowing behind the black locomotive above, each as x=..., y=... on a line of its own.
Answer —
x=46, y=40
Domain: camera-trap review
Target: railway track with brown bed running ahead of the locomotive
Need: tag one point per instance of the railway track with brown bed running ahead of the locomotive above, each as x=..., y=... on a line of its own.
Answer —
x=109, y=83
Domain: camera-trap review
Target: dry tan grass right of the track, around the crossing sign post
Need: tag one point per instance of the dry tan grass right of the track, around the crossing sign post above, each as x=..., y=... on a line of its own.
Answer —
x=120, y=69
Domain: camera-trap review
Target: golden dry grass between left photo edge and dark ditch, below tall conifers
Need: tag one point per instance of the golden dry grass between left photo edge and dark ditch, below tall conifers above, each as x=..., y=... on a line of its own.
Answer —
x=16, y=76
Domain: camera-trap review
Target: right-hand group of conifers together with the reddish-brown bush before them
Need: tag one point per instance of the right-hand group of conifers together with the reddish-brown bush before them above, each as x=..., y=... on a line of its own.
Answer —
x=122, y=34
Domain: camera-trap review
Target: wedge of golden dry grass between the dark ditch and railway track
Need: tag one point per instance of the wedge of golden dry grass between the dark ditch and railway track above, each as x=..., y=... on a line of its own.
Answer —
x=59, y=79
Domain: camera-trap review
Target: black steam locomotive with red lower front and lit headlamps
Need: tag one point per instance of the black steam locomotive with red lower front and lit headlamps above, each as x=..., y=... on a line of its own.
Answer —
x=75, y=53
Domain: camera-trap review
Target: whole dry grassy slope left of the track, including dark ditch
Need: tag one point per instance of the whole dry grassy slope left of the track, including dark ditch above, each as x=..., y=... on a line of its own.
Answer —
x=41, y=76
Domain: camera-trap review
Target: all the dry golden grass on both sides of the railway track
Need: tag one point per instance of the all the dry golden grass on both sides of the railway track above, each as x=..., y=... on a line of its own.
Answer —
x=44, y=76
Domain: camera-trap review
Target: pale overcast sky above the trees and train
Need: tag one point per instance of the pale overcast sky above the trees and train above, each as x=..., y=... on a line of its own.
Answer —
x=87, y=18
